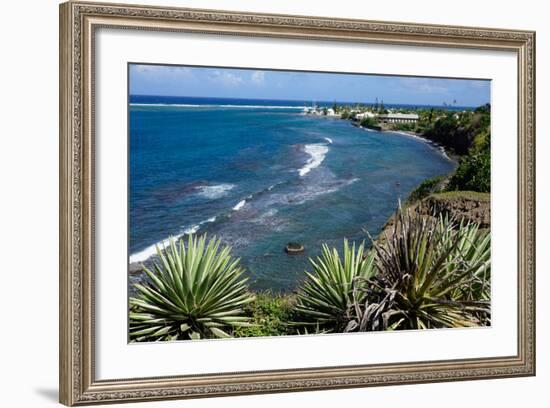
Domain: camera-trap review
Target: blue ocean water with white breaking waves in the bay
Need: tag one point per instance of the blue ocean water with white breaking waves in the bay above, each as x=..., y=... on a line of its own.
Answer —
x=259, y=174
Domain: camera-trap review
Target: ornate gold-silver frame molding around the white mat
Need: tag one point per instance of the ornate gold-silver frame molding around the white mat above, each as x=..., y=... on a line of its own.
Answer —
x=78, y=22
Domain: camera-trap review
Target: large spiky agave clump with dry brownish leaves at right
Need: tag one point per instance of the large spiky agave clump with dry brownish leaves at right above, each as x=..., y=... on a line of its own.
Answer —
x=432, y=272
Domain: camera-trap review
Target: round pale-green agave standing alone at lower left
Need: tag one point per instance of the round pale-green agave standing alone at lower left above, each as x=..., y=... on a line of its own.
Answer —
x=195, y=291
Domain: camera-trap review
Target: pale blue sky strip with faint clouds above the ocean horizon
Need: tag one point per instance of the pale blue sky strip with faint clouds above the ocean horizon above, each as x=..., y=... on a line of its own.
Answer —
x=309, y=86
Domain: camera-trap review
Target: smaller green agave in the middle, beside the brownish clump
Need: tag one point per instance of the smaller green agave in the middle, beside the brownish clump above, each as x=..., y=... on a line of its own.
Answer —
x=325, y=297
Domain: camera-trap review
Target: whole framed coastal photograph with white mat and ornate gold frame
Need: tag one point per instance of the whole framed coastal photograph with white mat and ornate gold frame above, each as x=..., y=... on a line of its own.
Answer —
x=258, y=203
